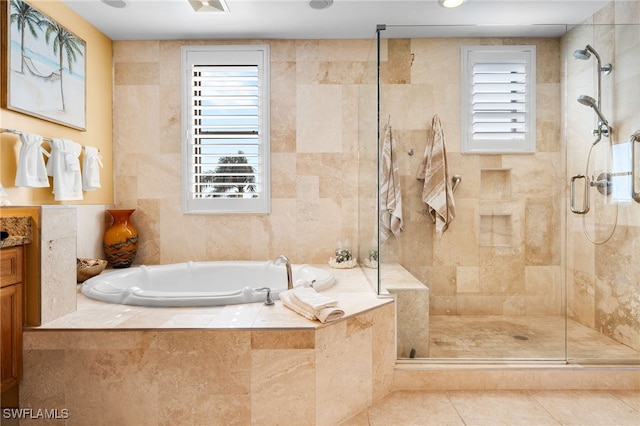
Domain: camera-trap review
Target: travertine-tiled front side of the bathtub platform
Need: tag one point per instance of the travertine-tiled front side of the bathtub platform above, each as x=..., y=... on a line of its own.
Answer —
x=186, y=376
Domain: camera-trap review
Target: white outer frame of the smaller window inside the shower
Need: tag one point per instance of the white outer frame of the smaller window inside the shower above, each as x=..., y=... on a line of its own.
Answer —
x=472, y=55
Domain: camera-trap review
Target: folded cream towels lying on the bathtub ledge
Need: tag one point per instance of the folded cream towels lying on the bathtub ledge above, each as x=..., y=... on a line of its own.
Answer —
x=326, y=311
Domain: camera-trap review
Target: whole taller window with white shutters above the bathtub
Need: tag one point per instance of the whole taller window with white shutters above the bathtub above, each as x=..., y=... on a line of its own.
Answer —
x=225, y=123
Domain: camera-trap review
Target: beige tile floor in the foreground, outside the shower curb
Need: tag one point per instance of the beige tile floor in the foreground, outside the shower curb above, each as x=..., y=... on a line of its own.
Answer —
x=513, y=408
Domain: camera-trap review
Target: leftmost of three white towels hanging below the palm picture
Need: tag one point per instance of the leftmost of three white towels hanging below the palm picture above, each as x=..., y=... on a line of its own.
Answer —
x=31, y=171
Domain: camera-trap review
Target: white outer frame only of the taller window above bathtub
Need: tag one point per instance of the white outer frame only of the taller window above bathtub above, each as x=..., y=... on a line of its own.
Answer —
x=225, y=55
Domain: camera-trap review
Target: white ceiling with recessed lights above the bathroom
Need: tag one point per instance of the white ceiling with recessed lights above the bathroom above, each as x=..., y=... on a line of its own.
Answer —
x=344, y=19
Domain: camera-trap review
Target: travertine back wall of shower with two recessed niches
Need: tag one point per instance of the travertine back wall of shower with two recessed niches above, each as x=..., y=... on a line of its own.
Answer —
x=502, y=253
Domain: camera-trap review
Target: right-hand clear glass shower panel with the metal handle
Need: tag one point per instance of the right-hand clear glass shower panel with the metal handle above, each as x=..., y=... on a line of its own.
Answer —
x=603, y=260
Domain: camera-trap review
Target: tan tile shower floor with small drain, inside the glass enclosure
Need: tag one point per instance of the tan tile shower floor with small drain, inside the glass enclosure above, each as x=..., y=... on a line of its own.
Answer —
x=521, y=337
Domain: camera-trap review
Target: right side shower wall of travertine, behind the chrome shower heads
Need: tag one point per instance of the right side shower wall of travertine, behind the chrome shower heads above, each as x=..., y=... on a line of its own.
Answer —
x=603, y=279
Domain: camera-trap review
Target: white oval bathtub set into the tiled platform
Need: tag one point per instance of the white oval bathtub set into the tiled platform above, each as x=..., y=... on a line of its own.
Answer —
x=200, y=283
